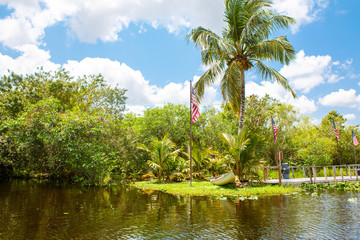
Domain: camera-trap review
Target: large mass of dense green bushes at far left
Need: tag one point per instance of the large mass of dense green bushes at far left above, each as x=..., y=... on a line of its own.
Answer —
x=66, y=133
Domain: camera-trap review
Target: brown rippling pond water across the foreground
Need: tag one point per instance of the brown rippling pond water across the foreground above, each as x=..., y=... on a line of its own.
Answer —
x=45, y=211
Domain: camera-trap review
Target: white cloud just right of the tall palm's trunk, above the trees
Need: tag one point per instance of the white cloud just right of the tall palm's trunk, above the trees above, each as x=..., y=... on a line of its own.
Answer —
x=302, y=103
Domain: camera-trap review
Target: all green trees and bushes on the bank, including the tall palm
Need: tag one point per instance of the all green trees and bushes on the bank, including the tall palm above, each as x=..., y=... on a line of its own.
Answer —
x=55, y=126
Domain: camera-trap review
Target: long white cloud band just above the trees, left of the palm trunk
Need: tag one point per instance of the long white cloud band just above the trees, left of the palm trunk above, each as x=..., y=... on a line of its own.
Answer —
x=140, y=92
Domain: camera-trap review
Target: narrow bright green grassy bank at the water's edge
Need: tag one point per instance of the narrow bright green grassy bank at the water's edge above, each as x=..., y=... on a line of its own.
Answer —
x=209, y=189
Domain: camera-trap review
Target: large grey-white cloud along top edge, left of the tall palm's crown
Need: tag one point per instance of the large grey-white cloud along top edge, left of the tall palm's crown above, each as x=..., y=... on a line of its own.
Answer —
x=104, y=20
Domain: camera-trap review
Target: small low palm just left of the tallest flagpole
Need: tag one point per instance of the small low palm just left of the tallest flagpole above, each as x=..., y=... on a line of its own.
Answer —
x=162, y=154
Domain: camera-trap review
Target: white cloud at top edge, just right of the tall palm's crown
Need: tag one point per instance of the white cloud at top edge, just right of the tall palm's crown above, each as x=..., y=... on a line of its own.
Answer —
x=304, y=11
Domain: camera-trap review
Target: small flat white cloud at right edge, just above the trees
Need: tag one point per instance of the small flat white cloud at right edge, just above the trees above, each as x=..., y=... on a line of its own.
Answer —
x=341, y=98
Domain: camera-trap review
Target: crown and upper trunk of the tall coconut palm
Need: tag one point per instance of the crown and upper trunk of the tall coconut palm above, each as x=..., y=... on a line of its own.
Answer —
x=243, y=45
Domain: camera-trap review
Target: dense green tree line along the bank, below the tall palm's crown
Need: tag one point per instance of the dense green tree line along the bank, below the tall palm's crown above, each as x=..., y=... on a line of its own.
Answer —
x=55, y=126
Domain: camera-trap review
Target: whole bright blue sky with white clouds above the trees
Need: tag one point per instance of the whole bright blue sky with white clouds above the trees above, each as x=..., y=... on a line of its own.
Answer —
x=139, y=45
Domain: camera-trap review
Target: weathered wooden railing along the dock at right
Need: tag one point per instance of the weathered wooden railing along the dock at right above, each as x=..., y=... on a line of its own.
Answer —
x=351, y=170
